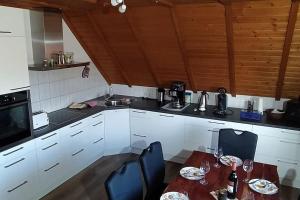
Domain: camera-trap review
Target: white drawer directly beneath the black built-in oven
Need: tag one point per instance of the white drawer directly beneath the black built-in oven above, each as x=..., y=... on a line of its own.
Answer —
x=16, y=152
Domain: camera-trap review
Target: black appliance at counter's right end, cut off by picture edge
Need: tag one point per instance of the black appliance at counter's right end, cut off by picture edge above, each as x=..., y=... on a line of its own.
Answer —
x=292, y=113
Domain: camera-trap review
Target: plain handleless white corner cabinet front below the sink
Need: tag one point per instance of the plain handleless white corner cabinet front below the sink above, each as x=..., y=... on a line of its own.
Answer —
x=117, y=131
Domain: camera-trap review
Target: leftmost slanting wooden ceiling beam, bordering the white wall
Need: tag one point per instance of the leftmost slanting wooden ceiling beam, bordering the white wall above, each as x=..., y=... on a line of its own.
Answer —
x=86, y=48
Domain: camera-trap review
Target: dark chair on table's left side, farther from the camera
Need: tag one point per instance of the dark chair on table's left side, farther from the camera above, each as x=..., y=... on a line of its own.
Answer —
x=153, y=167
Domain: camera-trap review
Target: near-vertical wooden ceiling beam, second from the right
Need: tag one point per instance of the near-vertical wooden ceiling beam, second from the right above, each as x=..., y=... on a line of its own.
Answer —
x=230, y=46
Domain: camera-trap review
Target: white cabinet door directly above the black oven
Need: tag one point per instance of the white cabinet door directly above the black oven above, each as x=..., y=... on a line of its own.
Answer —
x=14, y=74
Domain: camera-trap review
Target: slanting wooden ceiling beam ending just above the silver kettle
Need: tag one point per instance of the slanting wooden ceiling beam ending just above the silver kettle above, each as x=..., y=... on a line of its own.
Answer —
x=183, y=51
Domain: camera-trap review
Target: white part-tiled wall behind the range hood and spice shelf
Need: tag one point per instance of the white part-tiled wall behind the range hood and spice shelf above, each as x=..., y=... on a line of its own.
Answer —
x=53, y=90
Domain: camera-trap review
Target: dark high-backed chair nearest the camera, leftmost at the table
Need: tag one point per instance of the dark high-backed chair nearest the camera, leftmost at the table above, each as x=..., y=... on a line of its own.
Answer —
x=125, y=183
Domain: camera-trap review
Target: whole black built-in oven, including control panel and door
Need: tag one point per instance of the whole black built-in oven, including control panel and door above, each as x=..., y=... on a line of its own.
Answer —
x=15, y=118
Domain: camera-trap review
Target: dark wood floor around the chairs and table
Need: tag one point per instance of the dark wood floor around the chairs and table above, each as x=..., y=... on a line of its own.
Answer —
x=89, y=184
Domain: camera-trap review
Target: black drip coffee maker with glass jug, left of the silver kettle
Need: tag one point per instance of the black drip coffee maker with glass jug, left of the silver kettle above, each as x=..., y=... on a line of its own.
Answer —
x=177, y=93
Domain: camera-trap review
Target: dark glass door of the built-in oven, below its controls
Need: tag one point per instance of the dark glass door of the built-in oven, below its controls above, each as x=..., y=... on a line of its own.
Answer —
x=15, y=123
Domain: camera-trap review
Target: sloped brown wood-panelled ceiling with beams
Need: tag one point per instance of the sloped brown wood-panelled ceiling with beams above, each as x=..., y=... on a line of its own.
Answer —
x=250, y=47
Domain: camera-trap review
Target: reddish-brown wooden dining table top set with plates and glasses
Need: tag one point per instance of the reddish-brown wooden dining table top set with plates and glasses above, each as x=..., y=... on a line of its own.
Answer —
x=217, y=178
